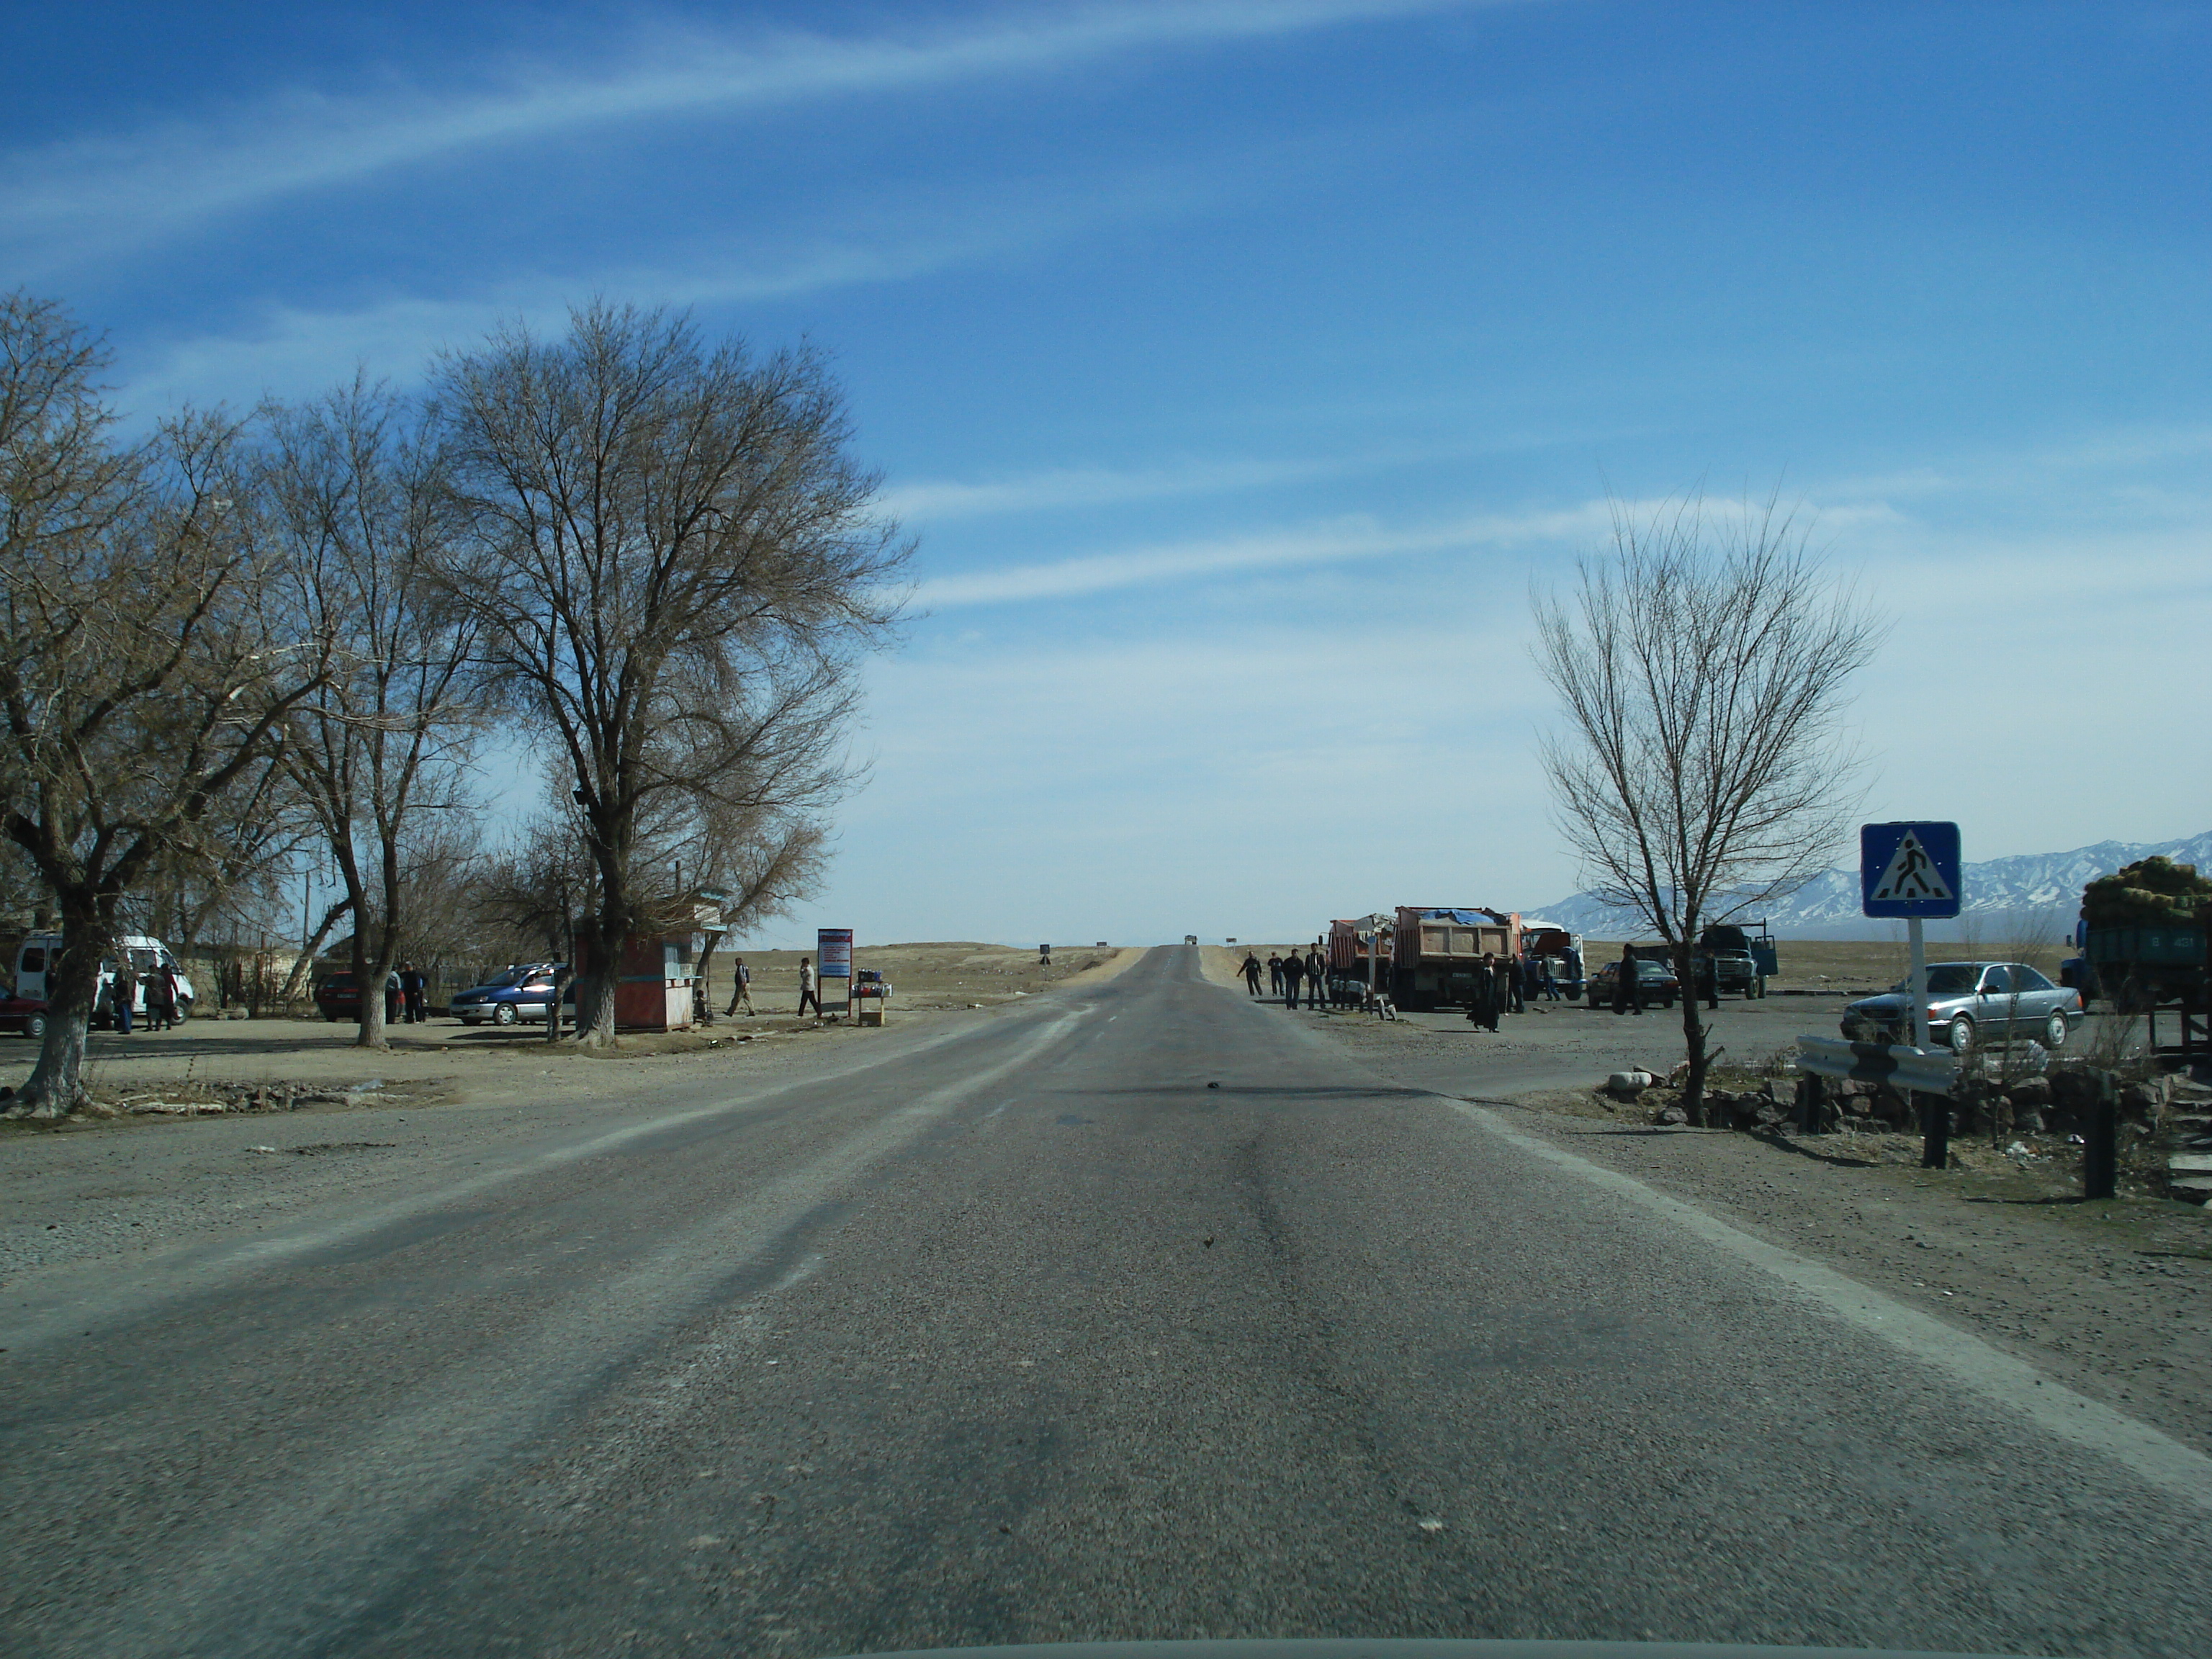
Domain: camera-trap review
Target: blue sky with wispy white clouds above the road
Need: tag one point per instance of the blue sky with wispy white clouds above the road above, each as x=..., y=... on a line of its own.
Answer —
x=1240, y=366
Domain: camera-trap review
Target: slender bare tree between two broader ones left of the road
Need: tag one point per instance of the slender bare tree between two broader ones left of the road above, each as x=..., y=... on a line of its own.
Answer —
x=355, y=494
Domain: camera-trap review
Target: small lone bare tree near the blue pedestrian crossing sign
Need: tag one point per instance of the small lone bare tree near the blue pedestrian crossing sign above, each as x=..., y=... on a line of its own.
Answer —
x=1700, y=771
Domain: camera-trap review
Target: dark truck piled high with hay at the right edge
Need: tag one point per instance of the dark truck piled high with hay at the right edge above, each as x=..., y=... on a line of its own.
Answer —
x=2145, y=937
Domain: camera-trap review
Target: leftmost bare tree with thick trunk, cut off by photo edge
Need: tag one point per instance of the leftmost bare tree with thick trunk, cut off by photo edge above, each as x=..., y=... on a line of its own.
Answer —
x=143, y=678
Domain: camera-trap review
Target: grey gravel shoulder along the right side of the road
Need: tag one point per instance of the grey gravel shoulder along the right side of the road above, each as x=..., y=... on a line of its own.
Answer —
x=2105, y=1297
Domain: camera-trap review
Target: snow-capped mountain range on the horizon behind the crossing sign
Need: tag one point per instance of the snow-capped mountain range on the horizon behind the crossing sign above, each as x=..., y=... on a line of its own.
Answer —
x=2045, y=886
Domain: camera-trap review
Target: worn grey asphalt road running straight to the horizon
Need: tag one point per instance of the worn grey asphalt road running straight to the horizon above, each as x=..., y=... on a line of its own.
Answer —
x=1036, y=1335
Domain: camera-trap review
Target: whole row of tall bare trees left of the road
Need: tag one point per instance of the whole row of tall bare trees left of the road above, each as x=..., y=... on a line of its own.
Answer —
x=645, y=559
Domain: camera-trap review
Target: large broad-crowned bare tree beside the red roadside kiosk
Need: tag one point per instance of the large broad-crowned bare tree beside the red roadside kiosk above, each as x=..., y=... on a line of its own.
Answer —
x=674, y=563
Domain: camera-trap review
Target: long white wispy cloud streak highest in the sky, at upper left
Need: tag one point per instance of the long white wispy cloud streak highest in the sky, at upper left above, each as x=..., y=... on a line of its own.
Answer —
x=92, y=196
